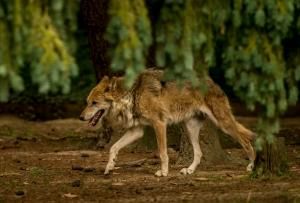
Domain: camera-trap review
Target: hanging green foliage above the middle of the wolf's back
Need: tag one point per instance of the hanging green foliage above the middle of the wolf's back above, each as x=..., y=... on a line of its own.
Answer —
x=185, y=44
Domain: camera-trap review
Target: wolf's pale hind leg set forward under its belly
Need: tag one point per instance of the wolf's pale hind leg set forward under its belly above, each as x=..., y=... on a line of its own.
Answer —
x=193, y=127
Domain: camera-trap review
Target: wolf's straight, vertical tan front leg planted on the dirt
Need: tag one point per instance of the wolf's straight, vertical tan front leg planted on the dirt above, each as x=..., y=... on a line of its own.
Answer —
x=161, y=137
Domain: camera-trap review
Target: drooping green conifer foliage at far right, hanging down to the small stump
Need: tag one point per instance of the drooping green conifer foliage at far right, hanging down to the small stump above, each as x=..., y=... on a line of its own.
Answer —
x=255, y=60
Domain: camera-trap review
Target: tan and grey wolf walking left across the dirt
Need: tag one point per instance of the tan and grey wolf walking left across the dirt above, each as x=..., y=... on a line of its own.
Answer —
x=156, y=102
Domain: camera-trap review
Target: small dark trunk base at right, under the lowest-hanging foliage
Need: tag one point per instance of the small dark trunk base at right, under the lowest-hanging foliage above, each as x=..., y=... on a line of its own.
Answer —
x=271, y=160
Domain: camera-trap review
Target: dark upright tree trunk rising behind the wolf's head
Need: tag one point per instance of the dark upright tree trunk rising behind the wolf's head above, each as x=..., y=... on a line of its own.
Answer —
x=95, y=15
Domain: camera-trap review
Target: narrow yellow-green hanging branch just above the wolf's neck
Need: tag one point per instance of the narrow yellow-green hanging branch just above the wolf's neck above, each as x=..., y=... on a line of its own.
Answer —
x=129, y=33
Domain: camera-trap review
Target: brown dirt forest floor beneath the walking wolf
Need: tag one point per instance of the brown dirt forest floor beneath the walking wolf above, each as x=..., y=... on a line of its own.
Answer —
x=56, y=161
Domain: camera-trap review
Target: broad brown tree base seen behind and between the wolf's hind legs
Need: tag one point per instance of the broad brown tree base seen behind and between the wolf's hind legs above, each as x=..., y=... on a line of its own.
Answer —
x=209, y=143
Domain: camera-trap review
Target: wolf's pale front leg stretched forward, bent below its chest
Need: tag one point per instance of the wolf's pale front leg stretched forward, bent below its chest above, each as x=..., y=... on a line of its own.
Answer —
x=129, y=137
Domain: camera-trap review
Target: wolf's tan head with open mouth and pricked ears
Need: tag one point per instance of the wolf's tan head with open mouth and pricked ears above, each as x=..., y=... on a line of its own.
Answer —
x=101, y=98
